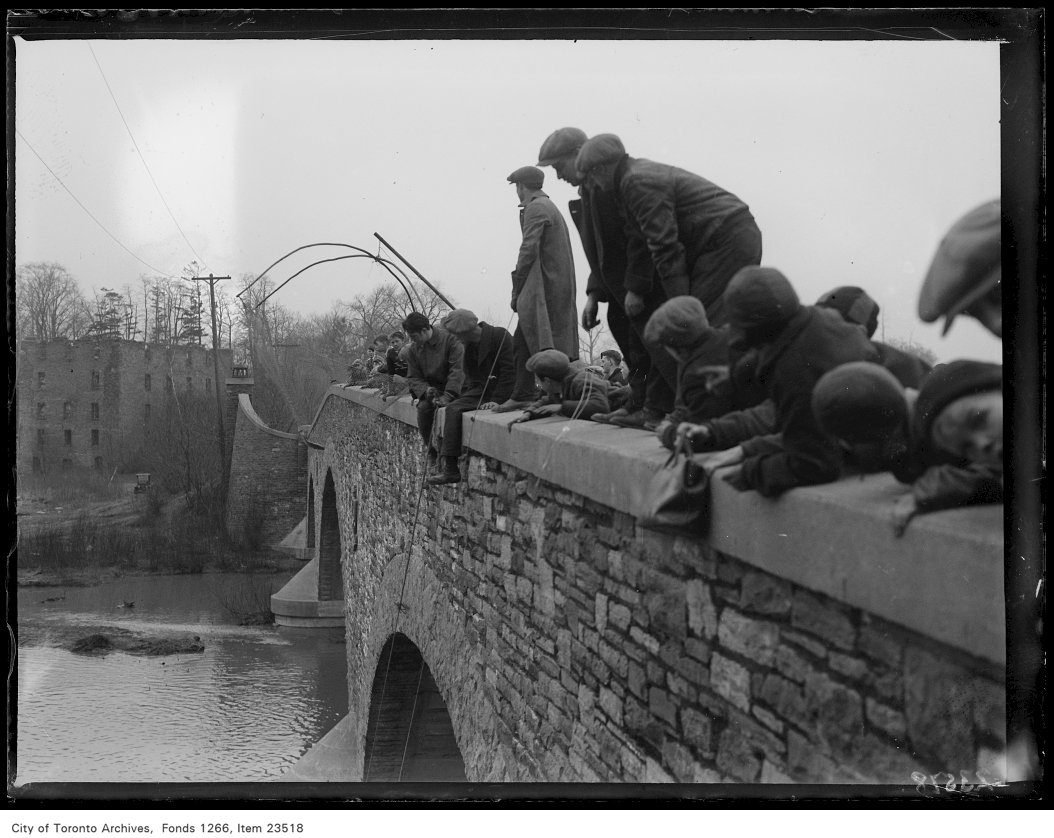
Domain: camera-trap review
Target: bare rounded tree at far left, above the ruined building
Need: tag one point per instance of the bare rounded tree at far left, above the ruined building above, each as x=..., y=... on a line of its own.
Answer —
x=48, y=303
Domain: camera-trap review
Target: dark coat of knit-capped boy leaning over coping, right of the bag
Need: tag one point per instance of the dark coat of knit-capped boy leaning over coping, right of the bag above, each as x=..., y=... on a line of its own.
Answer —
x=812, y=343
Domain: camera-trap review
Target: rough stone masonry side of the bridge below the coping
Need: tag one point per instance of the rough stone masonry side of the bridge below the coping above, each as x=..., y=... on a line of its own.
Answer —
x=573, y=646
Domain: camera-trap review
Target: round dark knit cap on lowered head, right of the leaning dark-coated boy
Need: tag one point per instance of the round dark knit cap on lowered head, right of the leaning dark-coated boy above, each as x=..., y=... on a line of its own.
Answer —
x=860, y=402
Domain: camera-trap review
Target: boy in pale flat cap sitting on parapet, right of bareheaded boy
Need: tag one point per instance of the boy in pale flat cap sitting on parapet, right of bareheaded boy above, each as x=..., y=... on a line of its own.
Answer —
x=491, y=376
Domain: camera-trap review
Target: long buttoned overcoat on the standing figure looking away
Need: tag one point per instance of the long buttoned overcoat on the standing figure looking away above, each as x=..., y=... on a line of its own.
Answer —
x=543, y=281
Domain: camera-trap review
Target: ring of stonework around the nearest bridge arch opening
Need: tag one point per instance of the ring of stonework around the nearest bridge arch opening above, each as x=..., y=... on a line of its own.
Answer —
x=411, y=603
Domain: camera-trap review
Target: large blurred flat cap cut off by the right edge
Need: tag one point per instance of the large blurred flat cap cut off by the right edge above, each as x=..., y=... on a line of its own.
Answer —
x=967, y=266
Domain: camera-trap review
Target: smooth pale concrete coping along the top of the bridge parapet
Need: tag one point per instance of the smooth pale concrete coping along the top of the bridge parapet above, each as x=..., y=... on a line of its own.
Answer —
x=944, y=578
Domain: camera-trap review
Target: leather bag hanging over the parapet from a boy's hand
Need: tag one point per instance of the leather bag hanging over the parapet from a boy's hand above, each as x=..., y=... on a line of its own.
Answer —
x=678, y=499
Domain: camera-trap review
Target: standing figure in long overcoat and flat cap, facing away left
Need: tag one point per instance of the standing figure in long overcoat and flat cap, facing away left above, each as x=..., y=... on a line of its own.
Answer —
x=543, y=284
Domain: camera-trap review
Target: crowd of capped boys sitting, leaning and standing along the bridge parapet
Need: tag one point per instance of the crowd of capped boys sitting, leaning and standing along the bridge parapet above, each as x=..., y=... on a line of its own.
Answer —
x=723, y=357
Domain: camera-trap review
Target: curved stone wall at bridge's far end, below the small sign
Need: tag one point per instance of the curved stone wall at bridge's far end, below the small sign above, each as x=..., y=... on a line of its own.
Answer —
x=268, y=480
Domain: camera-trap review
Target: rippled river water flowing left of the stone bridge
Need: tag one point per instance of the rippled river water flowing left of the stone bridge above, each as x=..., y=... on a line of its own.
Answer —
x=244, y=711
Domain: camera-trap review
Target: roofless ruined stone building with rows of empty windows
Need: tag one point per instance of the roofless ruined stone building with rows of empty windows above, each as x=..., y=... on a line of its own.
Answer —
x=86, y=403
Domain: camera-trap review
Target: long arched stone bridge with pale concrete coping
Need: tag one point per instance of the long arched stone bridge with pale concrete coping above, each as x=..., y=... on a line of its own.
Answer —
x=523, y=627
